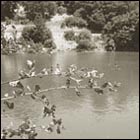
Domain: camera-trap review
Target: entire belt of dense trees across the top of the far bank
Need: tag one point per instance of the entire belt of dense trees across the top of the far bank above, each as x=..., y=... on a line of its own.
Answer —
x=118, y=21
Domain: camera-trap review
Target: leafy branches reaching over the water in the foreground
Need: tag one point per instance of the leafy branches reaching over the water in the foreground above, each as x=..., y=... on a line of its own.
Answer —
x=49, y=110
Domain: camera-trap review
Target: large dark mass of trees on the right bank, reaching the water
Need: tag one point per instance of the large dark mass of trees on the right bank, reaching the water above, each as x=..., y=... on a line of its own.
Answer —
x=117, y=20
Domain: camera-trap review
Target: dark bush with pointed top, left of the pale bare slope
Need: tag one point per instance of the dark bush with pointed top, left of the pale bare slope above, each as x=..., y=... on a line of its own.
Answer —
x=39, y=33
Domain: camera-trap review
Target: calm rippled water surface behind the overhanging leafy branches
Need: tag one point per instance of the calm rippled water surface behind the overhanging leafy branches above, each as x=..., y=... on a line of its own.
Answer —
x=112, y=115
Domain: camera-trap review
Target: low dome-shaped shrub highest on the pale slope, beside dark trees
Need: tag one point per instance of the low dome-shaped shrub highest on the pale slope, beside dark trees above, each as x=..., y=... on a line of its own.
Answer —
x=74, y=21
